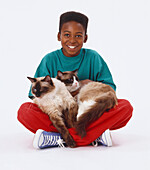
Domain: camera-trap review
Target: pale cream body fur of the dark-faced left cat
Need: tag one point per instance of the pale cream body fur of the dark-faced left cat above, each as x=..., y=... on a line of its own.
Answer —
x=59, y=98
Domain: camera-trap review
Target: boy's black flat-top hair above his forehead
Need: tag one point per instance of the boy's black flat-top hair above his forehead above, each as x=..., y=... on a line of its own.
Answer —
x=73, y=16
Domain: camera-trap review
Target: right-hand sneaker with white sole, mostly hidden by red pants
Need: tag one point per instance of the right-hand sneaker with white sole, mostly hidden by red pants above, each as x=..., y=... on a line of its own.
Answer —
x=104, y=139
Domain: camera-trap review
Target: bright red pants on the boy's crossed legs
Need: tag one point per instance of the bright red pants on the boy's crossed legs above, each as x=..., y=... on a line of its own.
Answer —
x=33, y=119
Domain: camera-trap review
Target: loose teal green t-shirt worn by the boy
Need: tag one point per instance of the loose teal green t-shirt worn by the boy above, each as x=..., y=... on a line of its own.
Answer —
x=89, y=63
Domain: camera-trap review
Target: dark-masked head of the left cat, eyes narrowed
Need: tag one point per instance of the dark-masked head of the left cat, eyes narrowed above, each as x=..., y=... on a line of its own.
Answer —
x=41, y=85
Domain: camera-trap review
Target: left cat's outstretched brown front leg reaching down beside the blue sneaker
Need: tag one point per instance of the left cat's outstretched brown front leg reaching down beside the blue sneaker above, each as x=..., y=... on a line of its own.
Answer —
x=58, y=122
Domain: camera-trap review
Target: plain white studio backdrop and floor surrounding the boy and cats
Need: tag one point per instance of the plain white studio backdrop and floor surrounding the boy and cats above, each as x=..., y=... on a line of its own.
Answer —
x=120, y=31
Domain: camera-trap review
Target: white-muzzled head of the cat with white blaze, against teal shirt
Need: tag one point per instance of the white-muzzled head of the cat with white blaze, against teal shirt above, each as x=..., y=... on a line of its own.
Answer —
x=70, y=79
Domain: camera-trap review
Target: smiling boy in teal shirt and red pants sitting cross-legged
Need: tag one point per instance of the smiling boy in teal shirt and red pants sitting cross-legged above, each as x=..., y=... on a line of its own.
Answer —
x=91, y=67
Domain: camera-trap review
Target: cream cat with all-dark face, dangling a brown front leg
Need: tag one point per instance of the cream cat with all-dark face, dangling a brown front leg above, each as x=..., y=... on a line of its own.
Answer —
x=53, y=98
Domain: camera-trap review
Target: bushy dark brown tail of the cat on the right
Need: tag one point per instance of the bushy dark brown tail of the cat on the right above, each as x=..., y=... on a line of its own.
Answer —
x=102, y=104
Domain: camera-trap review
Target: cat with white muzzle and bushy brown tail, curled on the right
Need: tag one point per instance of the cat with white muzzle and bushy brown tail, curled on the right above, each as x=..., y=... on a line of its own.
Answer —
x=93, y=99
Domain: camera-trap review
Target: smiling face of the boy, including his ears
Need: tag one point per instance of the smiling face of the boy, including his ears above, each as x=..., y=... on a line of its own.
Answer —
x=72, y=37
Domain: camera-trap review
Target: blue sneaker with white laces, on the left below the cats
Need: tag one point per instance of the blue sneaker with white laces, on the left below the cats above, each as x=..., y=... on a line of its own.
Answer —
x=43, y=139
